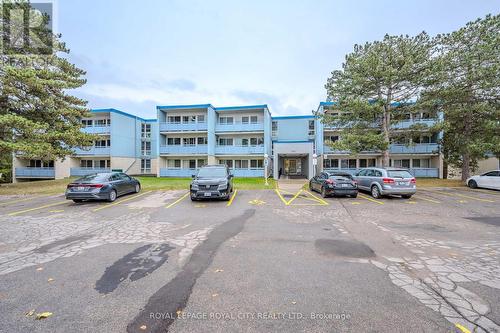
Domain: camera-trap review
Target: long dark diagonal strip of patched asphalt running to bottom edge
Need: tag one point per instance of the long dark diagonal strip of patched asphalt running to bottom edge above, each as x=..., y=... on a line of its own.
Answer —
x=164, y=305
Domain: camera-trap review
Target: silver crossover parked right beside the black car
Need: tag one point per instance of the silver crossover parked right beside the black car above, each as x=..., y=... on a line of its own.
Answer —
x=387, y=181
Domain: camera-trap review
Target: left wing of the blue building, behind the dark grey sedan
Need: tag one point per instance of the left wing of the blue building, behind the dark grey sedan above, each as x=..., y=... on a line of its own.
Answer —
x=125, y=143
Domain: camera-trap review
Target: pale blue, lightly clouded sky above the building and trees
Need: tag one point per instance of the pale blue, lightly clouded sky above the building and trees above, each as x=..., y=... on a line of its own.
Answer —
x=140, y=54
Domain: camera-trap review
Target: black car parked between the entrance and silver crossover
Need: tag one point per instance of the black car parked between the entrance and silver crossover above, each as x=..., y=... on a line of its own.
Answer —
x=334, y=183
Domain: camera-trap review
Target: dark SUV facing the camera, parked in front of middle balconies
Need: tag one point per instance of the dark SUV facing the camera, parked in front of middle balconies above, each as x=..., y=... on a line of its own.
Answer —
x=212, y=181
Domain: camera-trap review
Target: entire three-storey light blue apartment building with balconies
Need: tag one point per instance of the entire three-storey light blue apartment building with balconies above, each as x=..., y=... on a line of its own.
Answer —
x=247, y=139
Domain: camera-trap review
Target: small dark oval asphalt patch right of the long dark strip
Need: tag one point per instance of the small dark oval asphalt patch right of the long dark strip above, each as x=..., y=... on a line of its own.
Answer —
x=343, y=248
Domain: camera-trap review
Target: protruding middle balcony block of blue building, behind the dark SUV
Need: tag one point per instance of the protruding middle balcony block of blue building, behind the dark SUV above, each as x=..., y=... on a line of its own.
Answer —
x=191, y=136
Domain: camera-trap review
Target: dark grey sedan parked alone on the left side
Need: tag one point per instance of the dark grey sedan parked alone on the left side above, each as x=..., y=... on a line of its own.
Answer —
x=102, y=186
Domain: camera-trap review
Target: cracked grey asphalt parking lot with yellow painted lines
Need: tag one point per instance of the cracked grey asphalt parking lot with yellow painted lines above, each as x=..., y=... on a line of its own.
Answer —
x=266, y=260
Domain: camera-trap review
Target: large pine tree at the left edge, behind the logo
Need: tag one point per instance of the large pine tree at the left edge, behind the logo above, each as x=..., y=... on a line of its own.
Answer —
x=39, y=118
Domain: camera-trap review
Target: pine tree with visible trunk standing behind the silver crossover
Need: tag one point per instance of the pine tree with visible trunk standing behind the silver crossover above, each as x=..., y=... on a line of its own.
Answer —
x=376, y=87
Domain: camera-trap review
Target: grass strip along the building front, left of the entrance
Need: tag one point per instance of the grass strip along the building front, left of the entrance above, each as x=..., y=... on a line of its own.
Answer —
x=148, y=183
